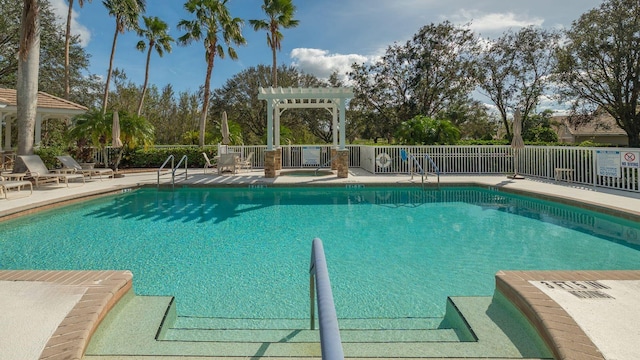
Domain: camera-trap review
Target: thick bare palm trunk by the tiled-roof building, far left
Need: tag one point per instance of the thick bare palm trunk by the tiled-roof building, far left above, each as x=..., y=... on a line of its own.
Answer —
x=27, y=85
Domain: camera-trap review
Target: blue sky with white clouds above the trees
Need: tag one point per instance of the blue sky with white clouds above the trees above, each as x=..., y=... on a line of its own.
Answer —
x=331, y=35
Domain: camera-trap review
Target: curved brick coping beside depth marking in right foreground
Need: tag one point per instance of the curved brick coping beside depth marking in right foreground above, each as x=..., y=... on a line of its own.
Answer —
x=564, y=337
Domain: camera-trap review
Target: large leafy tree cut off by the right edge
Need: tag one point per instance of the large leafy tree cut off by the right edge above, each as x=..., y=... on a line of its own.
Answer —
x=600, y=64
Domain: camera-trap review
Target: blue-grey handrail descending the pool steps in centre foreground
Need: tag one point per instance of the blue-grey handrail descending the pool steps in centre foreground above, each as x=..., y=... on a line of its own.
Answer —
x=330, y=342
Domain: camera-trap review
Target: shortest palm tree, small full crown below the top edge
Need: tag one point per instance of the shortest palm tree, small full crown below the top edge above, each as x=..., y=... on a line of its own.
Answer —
x=155, y=32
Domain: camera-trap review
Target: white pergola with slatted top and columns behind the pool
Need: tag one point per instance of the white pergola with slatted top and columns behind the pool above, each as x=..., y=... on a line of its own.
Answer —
x=280, y=99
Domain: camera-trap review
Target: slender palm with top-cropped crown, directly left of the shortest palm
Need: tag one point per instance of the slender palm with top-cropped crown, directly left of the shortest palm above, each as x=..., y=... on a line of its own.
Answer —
x=126, y=13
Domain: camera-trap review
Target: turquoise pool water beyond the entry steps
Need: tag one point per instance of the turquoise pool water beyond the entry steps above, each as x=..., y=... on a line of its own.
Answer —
x=391, y=252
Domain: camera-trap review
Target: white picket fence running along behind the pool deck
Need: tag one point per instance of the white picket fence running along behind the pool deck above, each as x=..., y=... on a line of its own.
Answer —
x=533, y=161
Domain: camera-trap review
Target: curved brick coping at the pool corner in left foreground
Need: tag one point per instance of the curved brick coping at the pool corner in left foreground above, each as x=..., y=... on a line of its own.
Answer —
x=103, y=290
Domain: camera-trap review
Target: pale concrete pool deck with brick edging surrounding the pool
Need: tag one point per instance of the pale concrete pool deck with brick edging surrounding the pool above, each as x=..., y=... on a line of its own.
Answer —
x=560, y=304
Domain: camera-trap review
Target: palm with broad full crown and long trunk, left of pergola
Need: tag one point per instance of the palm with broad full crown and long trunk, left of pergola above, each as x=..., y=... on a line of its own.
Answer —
x=212, y=21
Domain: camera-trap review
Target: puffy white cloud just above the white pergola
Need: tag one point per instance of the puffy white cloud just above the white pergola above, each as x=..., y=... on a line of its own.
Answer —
x=322, y=63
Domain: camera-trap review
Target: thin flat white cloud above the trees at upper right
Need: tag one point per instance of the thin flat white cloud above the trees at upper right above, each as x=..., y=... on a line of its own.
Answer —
x=481, y=21
